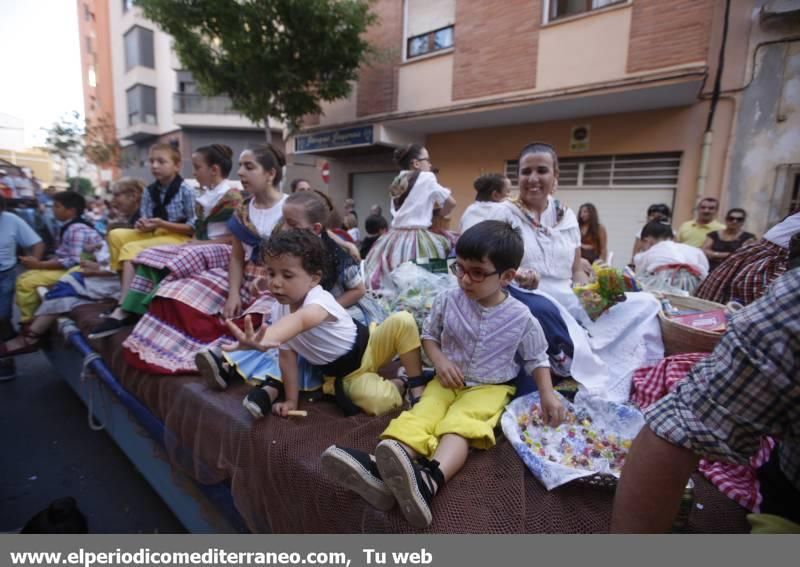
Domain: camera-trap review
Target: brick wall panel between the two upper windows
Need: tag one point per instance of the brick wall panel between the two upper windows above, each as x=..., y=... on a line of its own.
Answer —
x=495, y=47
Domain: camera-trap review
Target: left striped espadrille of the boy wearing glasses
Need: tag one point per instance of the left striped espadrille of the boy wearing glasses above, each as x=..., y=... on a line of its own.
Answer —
x=357, y=471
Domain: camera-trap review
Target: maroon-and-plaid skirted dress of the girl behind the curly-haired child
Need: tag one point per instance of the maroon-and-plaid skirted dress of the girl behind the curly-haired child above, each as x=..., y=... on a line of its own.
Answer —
x=185, y=314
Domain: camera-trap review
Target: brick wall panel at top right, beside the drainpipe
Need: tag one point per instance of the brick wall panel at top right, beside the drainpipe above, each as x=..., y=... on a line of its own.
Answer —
x=668, y=33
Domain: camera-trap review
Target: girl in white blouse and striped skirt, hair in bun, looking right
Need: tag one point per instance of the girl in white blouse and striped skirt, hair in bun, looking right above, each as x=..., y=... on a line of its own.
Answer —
x=415, y=195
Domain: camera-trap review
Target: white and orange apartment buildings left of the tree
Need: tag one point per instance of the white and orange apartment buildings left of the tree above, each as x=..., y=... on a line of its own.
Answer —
x=151, y=97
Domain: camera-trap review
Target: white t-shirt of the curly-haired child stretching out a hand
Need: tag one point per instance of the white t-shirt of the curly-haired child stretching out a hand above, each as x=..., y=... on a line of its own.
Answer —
x=327, y=341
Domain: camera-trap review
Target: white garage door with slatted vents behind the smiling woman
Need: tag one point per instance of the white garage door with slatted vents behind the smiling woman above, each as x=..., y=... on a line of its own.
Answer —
x=621, y=187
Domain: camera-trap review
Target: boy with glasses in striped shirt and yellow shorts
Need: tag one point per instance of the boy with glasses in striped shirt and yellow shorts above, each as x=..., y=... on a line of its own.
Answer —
x=477, y=337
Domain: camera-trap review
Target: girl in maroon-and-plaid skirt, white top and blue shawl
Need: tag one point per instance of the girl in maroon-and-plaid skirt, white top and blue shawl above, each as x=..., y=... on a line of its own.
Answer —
x=186, y=315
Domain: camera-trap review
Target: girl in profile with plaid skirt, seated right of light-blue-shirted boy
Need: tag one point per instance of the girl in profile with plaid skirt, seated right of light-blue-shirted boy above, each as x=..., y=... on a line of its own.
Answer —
x=210, y=248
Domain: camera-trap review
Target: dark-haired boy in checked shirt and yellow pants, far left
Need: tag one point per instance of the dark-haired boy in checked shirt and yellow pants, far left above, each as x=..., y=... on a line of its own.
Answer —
x=75, y=237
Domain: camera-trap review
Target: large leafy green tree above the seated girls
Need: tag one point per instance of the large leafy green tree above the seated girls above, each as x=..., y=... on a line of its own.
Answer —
x=273, y=58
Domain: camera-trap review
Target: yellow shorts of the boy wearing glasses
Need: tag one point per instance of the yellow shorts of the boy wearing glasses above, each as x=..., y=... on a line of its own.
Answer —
x=471, y=413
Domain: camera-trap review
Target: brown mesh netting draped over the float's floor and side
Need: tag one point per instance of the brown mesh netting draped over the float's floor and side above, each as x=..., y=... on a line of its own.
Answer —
x=278, y=485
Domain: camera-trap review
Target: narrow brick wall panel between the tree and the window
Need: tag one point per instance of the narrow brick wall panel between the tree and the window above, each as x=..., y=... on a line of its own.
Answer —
x=377, y=83
